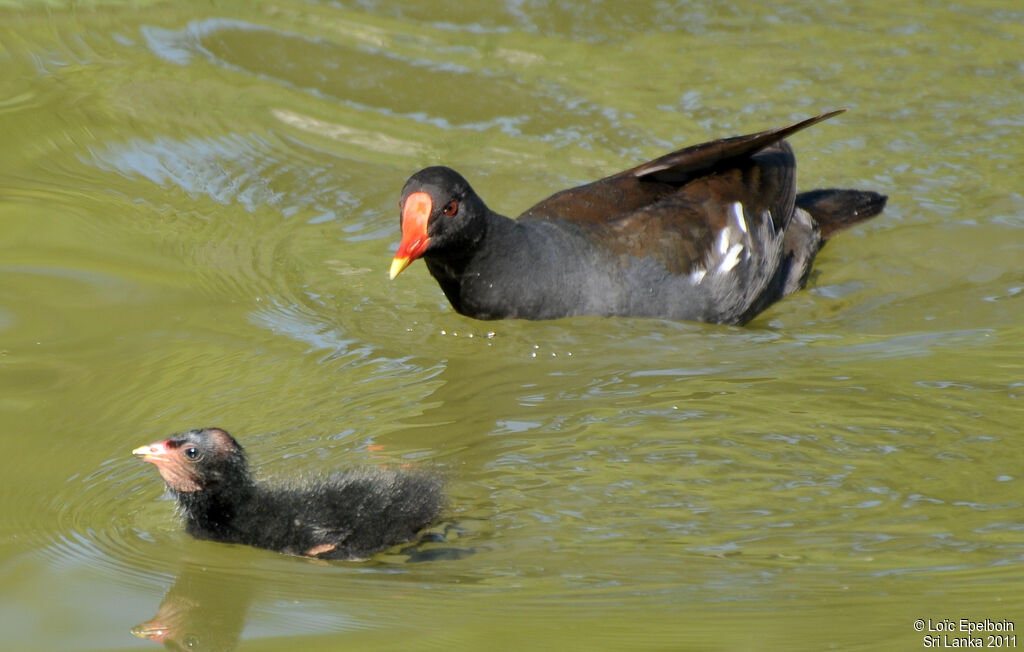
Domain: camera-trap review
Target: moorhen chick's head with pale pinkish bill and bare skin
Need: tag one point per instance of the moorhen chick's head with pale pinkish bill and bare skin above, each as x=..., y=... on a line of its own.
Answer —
x=198, y=460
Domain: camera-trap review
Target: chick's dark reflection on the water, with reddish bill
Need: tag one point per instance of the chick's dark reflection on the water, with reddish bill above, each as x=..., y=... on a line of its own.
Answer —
x=203, y=611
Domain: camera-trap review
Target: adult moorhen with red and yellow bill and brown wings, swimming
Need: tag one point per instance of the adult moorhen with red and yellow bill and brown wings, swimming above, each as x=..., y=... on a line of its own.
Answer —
x=714, y=233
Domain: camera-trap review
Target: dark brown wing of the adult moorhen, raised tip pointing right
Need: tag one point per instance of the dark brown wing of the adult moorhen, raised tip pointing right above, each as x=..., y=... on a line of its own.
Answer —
x=670, y=209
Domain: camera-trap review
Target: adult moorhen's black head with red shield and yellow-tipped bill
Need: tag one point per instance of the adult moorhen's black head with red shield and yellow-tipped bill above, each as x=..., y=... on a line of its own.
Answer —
x=441, y=214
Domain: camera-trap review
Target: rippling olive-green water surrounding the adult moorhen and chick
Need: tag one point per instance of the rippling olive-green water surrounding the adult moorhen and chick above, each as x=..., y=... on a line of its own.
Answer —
x=198, y=210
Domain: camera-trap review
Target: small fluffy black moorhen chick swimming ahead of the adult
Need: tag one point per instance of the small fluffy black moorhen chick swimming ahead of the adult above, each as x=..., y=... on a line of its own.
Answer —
x=346, y=516
